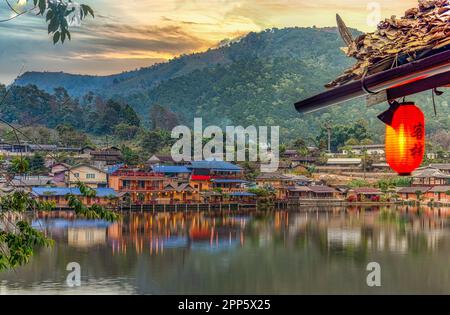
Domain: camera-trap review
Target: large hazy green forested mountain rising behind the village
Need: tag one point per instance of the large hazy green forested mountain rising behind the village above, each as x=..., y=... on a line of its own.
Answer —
x=251, y=81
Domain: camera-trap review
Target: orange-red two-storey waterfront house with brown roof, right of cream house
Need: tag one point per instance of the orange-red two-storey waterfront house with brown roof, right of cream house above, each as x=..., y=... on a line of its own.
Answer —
x=141, y=186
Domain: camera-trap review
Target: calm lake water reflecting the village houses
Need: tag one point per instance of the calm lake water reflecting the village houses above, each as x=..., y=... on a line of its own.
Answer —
x=282, y=252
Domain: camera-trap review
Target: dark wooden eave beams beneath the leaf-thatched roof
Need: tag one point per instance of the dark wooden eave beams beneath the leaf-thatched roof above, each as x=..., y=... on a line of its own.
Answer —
x=414, y=77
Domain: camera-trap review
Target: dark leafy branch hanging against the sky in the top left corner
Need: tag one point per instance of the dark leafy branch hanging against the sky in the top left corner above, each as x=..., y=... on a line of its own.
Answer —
x=58, y=14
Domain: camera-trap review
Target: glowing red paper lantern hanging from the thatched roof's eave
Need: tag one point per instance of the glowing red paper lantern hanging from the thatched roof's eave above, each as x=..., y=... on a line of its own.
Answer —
x=405, y=137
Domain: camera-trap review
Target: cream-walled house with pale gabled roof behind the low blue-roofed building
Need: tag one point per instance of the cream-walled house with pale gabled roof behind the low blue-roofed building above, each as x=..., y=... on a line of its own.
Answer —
x=91, y=176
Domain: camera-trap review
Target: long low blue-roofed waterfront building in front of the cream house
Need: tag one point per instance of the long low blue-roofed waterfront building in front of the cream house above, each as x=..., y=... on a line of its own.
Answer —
x=104, y=196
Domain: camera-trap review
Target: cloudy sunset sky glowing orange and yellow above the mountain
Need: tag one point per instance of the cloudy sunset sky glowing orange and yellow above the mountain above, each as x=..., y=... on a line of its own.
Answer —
x=134, y=33
